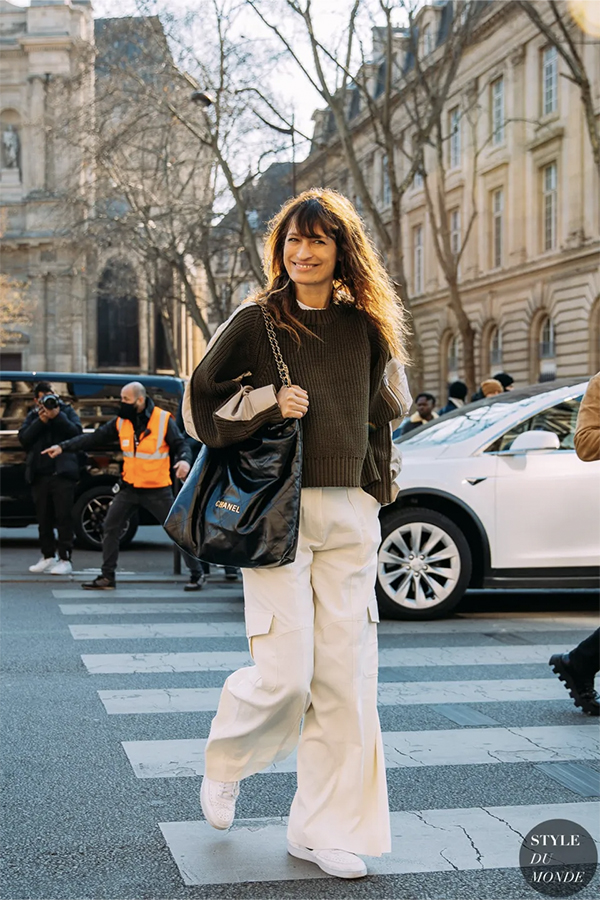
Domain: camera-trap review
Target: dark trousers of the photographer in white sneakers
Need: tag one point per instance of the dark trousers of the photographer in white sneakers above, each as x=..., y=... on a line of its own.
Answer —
x=53, y=497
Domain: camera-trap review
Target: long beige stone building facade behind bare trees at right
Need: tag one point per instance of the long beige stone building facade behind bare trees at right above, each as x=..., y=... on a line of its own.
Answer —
x=530, y=271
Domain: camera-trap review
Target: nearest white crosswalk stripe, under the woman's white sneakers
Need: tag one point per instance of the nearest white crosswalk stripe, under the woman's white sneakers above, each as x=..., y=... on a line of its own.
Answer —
x=432, y=840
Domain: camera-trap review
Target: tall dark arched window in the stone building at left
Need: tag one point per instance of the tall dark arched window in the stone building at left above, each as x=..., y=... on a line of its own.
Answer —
x=117, y=317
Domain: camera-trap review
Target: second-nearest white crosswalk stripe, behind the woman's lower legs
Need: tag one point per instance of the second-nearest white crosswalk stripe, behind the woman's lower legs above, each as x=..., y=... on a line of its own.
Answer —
x=477, y=746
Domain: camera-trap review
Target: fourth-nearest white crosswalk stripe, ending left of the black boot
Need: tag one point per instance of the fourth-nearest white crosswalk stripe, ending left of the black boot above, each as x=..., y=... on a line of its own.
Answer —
x=122, y=663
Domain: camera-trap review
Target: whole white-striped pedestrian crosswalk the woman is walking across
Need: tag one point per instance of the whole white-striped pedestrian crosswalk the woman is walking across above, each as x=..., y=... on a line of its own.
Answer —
x=136, y=681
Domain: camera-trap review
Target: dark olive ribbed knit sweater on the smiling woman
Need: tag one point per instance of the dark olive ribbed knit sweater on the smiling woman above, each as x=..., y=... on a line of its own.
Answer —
x=346, y=432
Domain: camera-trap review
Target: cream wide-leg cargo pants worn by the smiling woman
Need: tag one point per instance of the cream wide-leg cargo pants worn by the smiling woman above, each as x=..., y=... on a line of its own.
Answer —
x=313, y=638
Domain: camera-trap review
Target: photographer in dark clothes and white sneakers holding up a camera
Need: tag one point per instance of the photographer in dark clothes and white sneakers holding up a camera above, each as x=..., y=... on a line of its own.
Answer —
x=52, y=480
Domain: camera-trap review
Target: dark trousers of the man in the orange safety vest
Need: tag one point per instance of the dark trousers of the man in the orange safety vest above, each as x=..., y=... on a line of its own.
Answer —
x=157, y=501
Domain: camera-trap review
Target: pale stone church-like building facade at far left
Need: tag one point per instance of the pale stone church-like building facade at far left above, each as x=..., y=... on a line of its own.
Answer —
x=88, y=308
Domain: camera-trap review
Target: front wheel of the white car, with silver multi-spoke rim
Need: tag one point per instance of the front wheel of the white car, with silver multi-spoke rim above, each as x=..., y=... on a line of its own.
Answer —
x=423, y=566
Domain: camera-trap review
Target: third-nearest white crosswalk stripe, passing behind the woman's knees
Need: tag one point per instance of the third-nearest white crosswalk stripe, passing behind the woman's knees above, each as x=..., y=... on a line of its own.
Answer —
x=407, y=693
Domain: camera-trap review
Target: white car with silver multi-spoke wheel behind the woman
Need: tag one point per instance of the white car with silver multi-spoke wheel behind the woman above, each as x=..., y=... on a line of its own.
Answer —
x=492, y=495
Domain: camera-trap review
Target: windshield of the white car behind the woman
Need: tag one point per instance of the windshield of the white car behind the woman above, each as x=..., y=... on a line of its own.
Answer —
x=468, y=422
